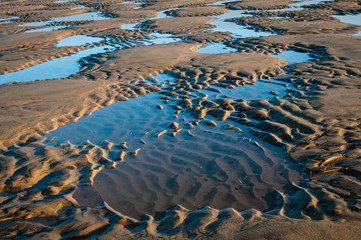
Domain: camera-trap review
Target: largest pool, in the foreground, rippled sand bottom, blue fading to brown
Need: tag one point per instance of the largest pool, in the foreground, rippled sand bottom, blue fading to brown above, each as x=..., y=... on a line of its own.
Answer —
x=226, y=165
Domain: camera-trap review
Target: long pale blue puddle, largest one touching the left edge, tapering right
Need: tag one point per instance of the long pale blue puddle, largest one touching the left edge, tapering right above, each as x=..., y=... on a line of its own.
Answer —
x=56, y=68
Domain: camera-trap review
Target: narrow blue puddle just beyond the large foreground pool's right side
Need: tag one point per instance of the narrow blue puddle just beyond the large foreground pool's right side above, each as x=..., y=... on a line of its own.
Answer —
x=262, y=89
